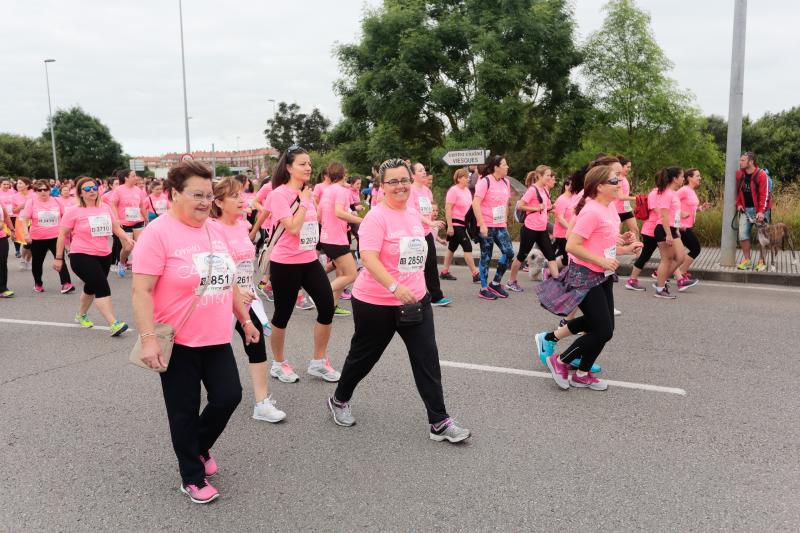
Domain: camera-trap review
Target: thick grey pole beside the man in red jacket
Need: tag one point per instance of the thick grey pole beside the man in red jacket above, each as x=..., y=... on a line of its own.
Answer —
x=734, y=146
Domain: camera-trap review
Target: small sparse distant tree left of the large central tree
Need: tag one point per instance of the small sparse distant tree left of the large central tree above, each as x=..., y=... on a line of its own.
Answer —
x=289, y=126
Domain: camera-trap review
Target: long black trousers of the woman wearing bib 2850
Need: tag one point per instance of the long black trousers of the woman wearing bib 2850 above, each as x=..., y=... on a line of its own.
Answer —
x=375, y=327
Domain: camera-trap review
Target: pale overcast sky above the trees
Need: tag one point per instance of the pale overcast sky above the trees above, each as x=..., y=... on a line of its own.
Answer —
x=120, y=61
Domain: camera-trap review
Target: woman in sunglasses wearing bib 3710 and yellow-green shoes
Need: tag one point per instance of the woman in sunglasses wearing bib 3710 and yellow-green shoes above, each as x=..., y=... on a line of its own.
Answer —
x=87, y=227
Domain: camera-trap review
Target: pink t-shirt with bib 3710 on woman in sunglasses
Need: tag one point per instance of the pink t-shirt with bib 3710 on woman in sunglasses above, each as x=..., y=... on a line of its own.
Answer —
x=91, y=228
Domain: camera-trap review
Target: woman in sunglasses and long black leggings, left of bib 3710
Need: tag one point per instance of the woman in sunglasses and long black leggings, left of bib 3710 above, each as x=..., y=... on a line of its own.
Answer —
x=43, y=213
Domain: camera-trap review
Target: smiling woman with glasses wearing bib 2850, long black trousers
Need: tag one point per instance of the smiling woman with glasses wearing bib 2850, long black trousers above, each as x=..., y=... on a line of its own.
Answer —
x=390, y=297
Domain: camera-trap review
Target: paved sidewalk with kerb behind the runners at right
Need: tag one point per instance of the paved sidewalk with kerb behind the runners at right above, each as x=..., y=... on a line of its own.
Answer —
x=786, y=272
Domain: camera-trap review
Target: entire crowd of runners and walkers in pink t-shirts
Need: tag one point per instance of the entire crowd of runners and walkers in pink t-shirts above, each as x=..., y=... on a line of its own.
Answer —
x=206, y=251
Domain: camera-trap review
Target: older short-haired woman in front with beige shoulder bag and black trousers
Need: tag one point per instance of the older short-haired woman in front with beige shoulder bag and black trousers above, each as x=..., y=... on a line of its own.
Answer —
x=184, y=276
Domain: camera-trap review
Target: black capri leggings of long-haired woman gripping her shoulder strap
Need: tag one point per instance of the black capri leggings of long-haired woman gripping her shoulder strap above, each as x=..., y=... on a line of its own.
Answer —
x=287, y=279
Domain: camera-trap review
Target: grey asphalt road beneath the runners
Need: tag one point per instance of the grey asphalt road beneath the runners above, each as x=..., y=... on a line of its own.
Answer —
x=85, y=443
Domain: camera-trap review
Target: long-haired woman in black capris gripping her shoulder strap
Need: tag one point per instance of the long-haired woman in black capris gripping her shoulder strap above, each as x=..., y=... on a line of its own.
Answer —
x=293, y=264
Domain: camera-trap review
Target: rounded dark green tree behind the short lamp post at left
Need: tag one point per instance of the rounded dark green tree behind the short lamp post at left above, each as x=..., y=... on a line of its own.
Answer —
x=84, y=145
